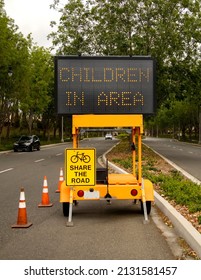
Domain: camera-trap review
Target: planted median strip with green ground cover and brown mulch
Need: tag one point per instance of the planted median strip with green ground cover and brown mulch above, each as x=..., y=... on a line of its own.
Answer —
x=180, y=192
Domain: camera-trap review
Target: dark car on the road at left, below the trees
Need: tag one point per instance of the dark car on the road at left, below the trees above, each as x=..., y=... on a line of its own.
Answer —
x=27, y=143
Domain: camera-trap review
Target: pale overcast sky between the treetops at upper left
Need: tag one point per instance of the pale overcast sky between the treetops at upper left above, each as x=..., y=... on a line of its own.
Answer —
x=32, y=16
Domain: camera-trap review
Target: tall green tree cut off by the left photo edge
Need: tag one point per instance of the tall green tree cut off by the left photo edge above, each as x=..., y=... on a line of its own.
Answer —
x=13, y=63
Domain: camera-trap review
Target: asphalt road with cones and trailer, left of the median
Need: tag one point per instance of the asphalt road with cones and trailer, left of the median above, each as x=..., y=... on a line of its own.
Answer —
x=100, y=231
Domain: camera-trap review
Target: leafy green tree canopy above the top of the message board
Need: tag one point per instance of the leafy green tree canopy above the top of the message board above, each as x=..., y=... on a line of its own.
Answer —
x=167, y=30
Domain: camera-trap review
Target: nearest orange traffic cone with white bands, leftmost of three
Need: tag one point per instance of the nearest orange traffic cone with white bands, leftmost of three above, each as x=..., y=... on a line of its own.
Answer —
x=22, y=213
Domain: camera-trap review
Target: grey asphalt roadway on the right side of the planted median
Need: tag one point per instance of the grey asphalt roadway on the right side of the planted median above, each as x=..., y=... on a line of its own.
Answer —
x=185, y=155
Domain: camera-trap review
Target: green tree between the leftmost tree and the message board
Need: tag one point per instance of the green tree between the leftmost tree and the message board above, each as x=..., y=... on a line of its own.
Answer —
x=37, y=97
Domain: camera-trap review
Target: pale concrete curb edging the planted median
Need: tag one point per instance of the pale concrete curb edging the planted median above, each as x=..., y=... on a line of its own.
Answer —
x=181, y=225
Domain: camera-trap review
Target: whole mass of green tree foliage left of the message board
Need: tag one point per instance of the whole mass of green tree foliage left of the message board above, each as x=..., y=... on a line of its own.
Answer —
x=26, y=94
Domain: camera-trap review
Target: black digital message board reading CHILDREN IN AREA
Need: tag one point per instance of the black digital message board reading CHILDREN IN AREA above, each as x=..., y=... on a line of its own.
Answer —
x=104, y=85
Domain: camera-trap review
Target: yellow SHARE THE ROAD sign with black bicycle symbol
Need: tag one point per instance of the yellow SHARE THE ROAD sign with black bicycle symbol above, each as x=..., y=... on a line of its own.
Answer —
x=80, y=167
